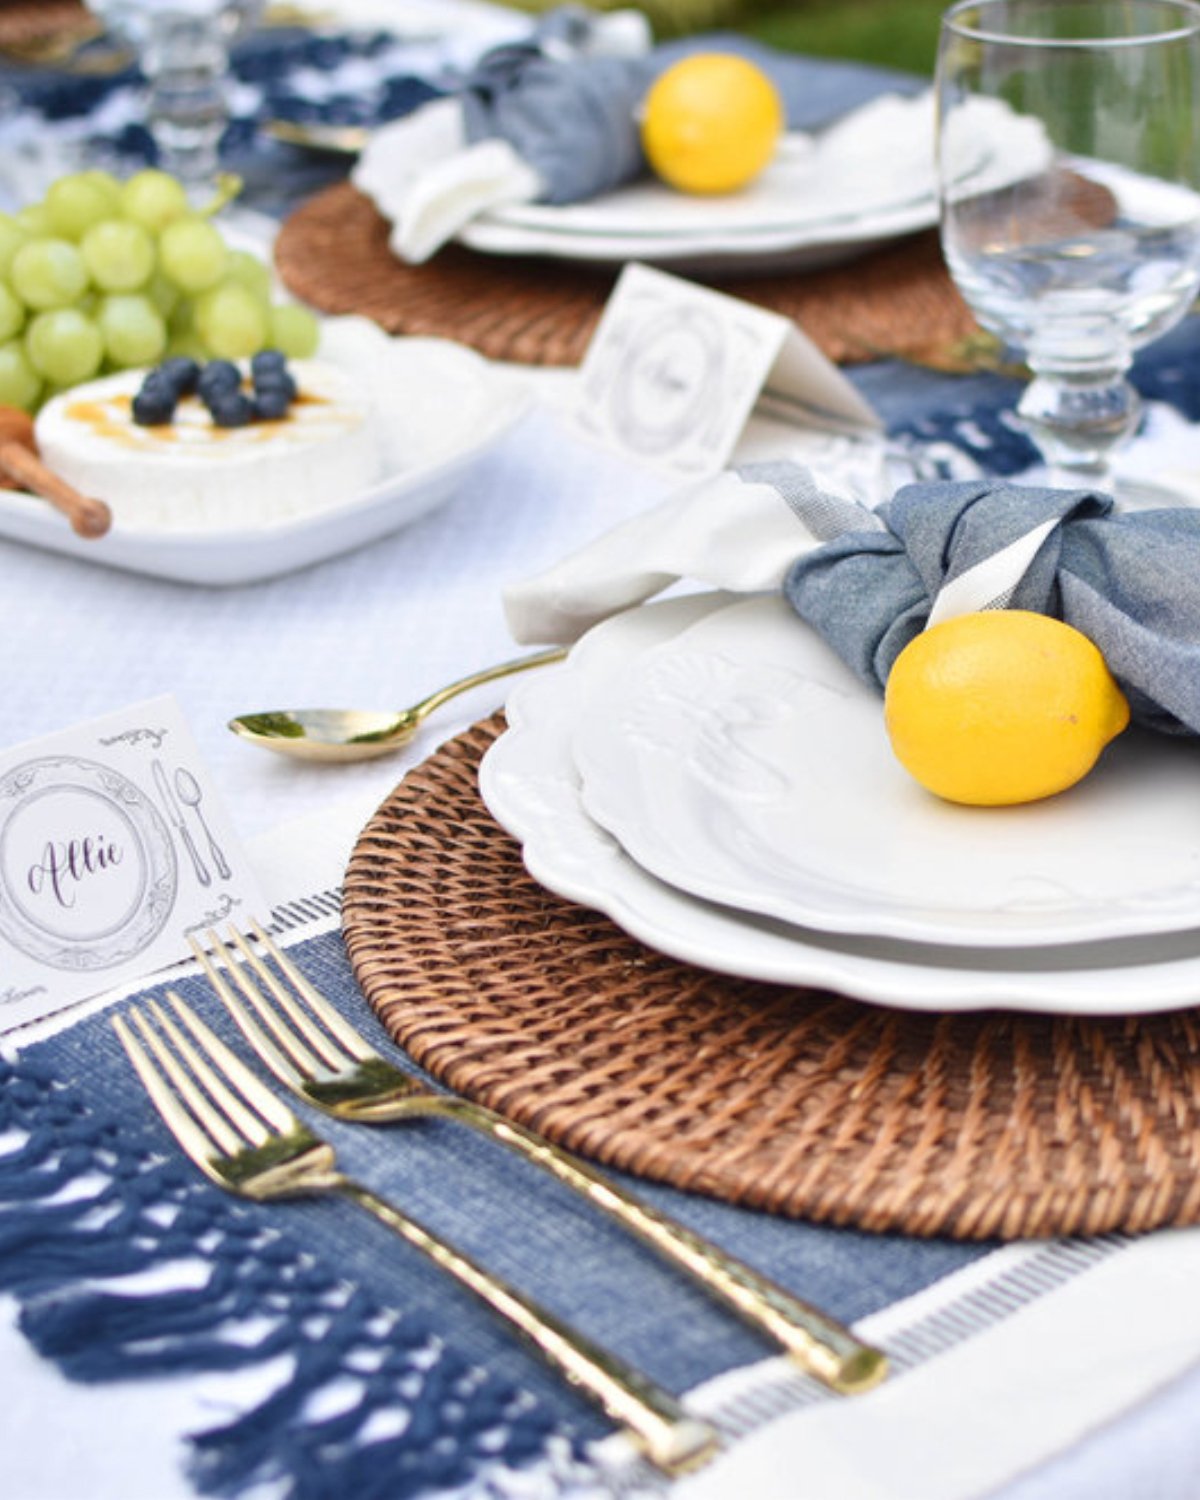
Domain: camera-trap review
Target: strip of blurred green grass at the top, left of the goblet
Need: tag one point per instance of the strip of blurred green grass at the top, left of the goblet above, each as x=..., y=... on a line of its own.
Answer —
x=895, y=34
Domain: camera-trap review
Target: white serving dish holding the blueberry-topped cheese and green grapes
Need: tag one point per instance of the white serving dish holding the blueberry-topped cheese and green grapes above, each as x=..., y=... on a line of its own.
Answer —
x=440, y=409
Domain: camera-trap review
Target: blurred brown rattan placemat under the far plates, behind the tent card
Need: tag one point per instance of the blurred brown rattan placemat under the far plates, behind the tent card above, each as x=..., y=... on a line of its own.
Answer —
x=334, y=254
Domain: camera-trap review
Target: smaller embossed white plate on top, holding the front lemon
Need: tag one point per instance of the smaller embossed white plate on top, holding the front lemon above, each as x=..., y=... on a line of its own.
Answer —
x=746, y=764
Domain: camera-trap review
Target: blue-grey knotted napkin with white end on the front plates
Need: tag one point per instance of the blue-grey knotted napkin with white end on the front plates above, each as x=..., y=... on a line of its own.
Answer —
x=871, y=580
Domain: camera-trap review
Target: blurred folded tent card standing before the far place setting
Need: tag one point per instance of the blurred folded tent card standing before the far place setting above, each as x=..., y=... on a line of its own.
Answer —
x=674, y=371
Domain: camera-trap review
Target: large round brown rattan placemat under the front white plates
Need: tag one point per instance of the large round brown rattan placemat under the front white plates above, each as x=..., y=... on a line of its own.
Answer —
x=799, y=1102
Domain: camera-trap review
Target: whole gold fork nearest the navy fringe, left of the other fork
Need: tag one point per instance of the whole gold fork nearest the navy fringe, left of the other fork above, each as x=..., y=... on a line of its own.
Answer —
x=248, y=1142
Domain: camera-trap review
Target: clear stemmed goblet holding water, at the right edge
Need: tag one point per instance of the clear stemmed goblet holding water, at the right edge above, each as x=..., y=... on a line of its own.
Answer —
x=1069, y=152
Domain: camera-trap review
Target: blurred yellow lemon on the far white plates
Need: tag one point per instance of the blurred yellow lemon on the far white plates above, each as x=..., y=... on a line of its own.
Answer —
x=712, y=122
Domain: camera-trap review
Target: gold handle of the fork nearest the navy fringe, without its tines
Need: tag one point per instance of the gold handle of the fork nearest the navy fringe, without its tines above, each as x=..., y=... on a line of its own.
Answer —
x=670, y=1438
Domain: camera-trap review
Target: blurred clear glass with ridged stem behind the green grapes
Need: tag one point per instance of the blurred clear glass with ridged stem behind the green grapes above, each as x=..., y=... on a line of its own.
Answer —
x=184, y=53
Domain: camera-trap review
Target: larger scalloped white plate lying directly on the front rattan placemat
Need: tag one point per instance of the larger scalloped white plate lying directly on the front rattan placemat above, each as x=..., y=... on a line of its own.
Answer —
x=532, y=785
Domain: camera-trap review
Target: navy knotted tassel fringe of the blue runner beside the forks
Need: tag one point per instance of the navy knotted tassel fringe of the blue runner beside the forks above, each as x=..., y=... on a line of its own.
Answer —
x=440, y=1417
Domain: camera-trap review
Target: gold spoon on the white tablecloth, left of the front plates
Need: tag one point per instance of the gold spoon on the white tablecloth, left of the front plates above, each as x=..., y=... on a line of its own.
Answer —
x=353, y=734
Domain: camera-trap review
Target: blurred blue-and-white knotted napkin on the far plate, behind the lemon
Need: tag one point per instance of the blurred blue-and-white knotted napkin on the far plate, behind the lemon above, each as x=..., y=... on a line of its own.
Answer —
x=554, y=119
